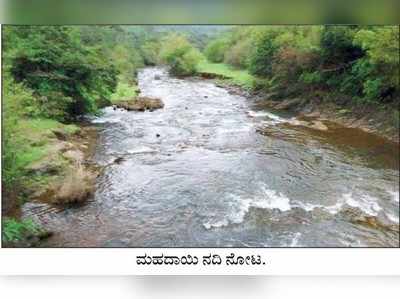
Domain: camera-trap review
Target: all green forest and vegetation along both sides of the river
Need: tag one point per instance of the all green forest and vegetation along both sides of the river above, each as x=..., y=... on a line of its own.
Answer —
x=53, y=75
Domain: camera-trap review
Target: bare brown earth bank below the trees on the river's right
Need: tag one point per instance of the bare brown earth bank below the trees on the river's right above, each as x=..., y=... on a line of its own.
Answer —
x=368, y=118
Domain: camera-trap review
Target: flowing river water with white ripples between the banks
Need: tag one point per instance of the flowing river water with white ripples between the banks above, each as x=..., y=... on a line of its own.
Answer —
x=212, y=169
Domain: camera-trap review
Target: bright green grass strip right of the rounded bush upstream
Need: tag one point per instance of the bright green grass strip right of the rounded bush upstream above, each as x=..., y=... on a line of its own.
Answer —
x=237, y=76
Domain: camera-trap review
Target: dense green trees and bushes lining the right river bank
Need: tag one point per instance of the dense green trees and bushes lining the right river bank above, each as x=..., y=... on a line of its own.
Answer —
x=352, y=64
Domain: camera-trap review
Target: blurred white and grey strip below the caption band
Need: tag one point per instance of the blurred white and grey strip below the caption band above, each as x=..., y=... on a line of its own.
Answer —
x=203, y=287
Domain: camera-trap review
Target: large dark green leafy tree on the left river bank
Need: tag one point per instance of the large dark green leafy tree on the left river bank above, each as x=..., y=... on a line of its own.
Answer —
x=66, y=76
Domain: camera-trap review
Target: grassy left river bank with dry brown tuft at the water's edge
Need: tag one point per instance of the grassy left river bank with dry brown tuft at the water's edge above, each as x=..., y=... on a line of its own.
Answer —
x=63, y=175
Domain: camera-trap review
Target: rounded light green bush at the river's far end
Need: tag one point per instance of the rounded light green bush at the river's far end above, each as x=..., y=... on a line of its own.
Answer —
x=180, y=55
